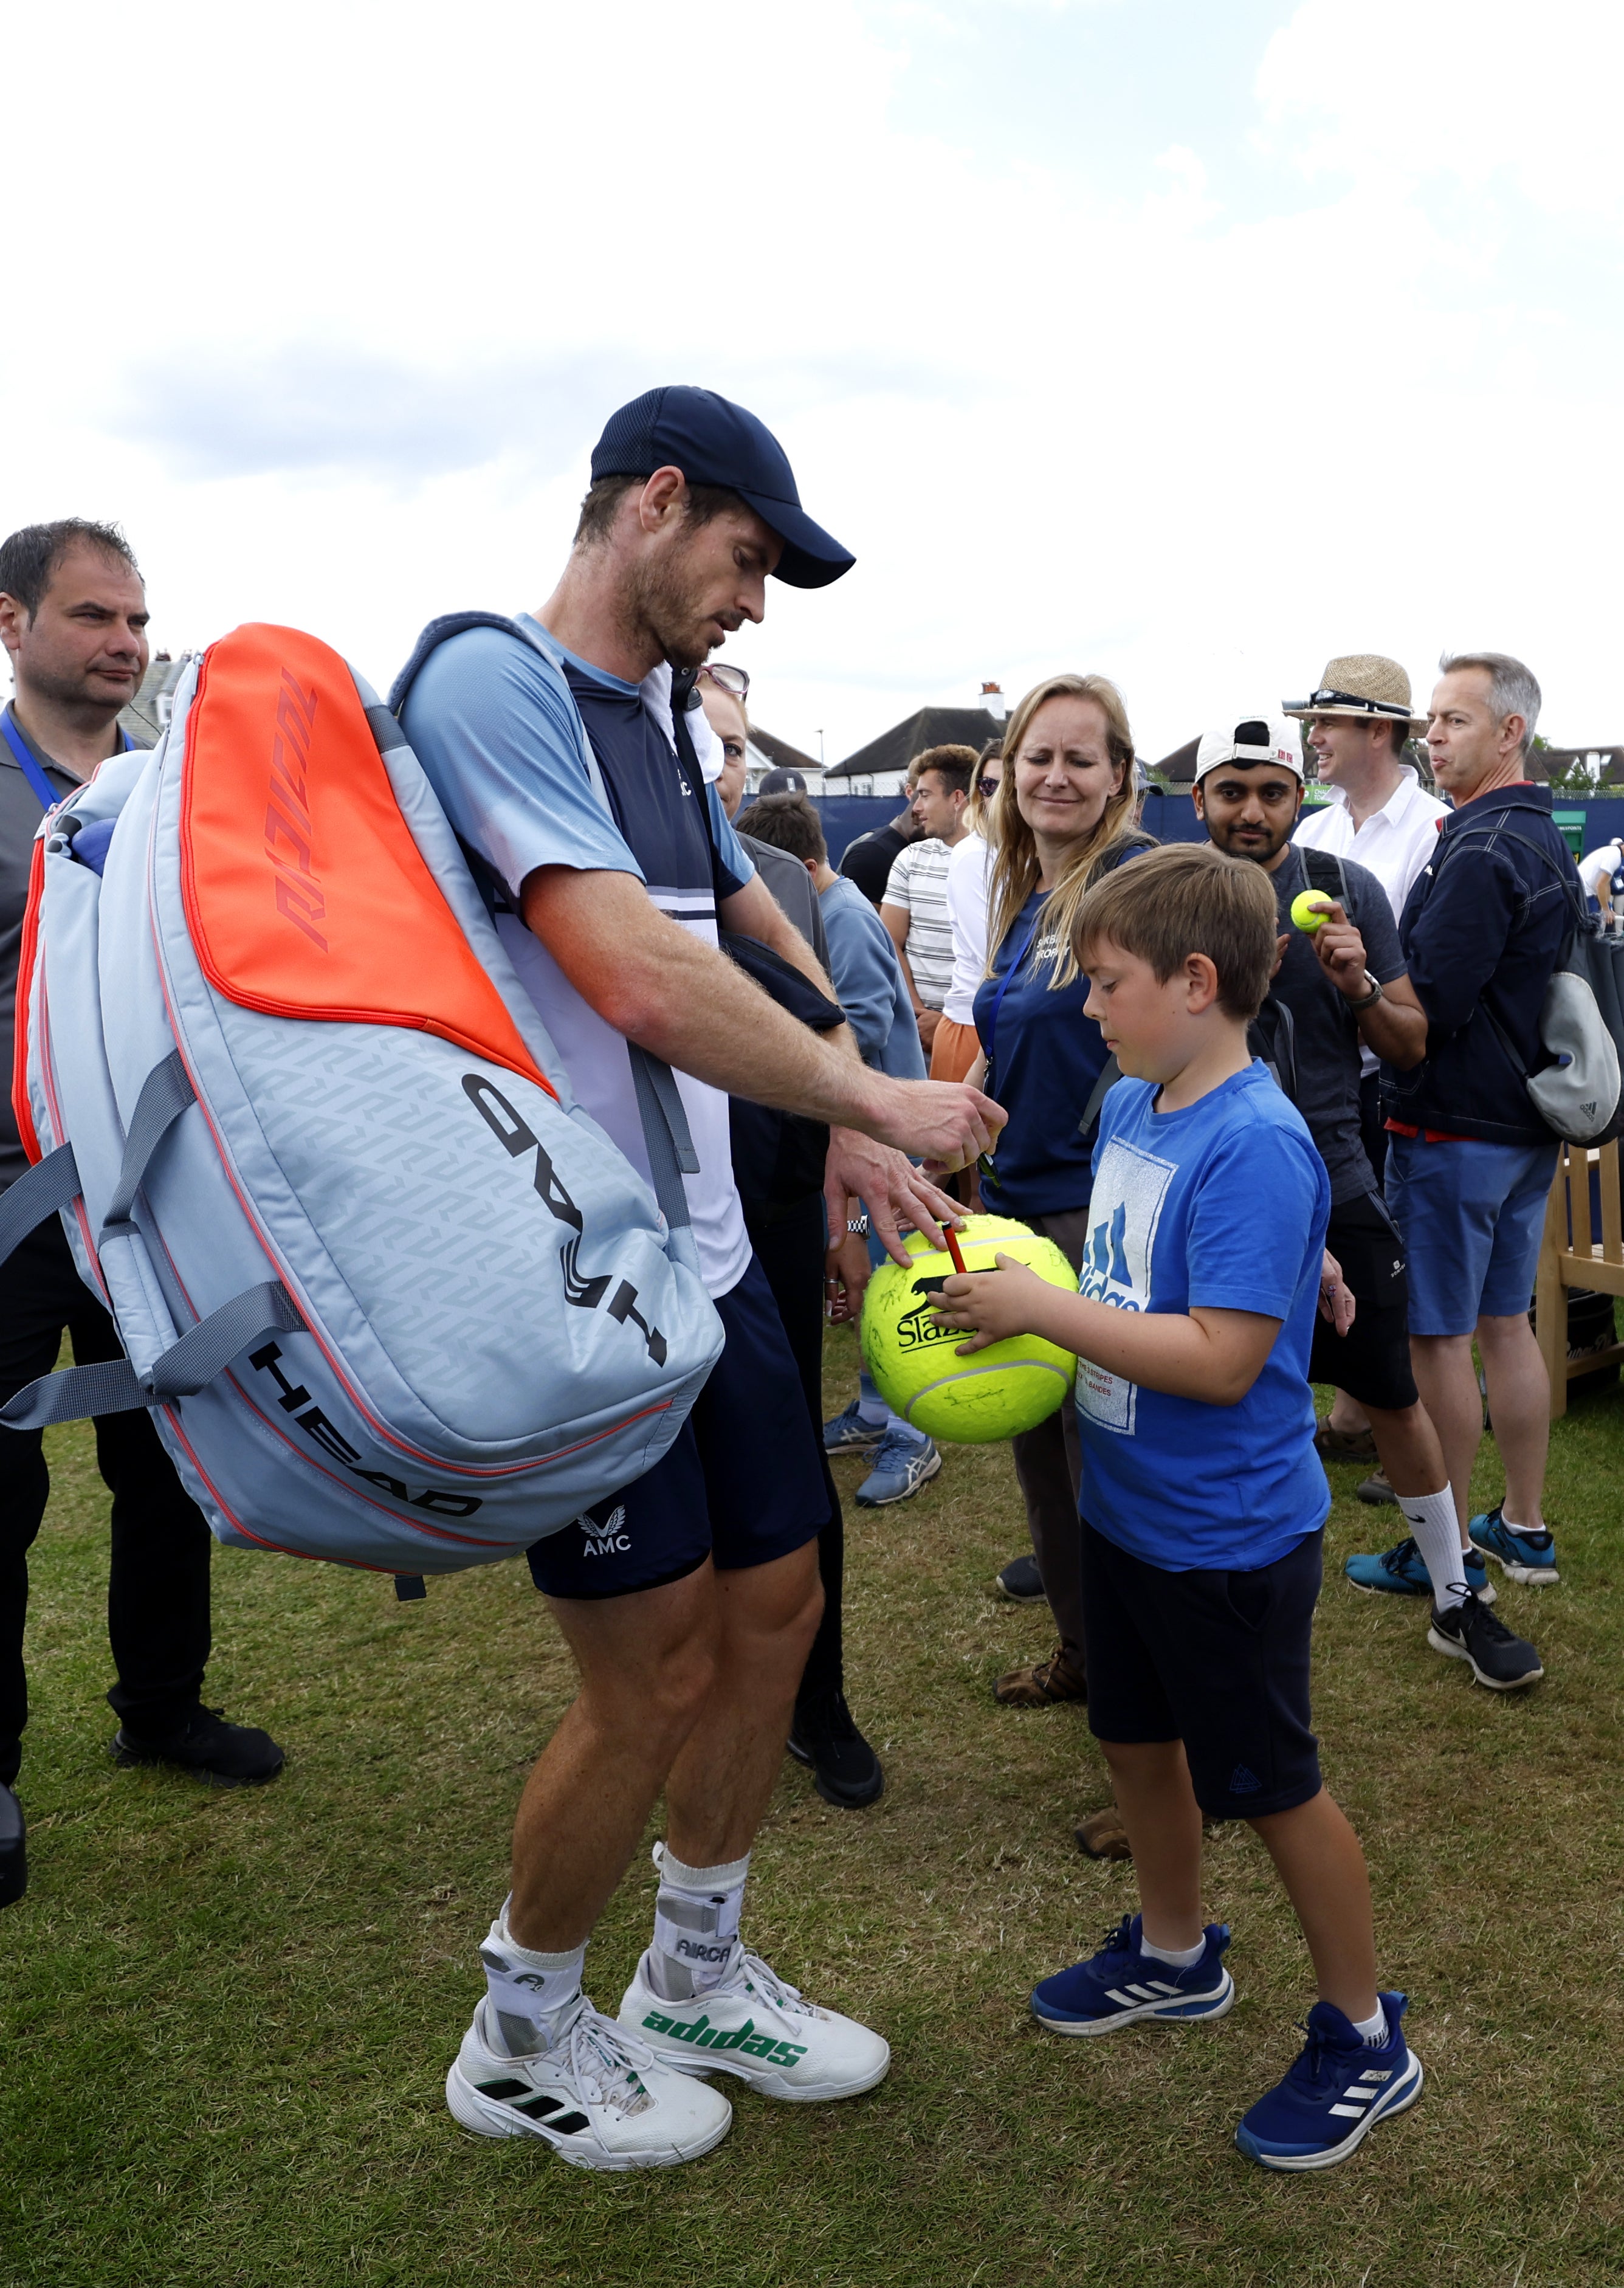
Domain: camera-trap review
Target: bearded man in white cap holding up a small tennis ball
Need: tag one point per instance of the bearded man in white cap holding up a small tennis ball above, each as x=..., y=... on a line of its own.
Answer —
x=1339, y=987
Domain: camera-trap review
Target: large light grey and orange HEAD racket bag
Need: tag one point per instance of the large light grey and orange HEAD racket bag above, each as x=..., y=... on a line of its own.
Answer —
x=392, y=1296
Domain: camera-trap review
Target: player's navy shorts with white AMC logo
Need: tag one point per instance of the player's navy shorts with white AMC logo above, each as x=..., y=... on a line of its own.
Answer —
x=742, y=1484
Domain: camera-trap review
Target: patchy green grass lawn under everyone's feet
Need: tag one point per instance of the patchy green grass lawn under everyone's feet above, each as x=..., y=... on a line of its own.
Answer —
x=225, y=2017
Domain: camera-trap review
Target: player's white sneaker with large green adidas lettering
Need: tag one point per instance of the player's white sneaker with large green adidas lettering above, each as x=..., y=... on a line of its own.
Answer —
x=763, y=2031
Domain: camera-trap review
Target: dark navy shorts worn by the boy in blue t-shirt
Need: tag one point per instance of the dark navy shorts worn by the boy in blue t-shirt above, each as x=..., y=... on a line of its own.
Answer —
x=1218, y=1660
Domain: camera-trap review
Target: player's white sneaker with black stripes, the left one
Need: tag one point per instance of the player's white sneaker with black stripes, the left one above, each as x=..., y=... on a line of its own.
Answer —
x=600, y=2099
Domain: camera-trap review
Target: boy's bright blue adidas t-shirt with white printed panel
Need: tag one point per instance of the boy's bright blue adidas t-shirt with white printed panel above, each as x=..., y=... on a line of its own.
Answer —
x=1218, y=1207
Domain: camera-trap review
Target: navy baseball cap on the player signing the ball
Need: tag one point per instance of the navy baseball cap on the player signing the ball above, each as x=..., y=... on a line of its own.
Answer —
x=717, y=443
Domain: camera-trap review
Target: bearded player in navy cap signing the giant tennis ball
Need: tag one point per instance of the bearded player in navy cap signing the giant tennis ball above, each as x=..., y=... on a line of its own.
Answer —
x=690, y=1600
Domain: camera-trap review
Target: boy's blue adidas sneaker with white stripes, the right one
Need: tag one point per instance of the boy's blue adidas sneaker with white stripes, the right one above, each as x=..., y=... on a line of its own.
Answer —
x=1335, y=2095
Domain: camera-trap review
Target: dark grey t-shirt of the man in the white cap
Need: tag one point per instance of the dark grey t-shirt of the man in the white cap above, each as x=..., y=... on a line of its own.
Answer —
x=1326, y=1031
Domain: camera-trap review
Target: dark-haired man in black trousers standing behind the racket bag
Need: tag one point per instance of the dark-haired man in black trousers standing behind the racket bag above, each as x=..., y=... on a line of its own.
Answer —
x=74, y=621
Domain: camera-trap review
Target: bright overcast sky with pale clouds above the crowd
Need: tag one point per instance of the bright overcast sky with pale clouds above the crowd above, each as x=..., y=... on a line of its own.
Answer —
x=1170, y=340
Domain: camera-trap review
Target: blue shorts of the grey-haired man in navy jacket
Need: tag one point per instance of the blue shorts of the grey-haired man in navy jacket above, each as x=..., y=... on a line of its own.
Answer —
x=1472, y=1218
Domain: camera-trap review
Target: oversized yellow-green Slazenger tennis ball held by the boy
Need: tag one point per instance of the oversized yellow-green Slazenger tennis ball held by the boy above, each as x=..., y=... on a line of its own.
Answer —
x=916, y=1363
